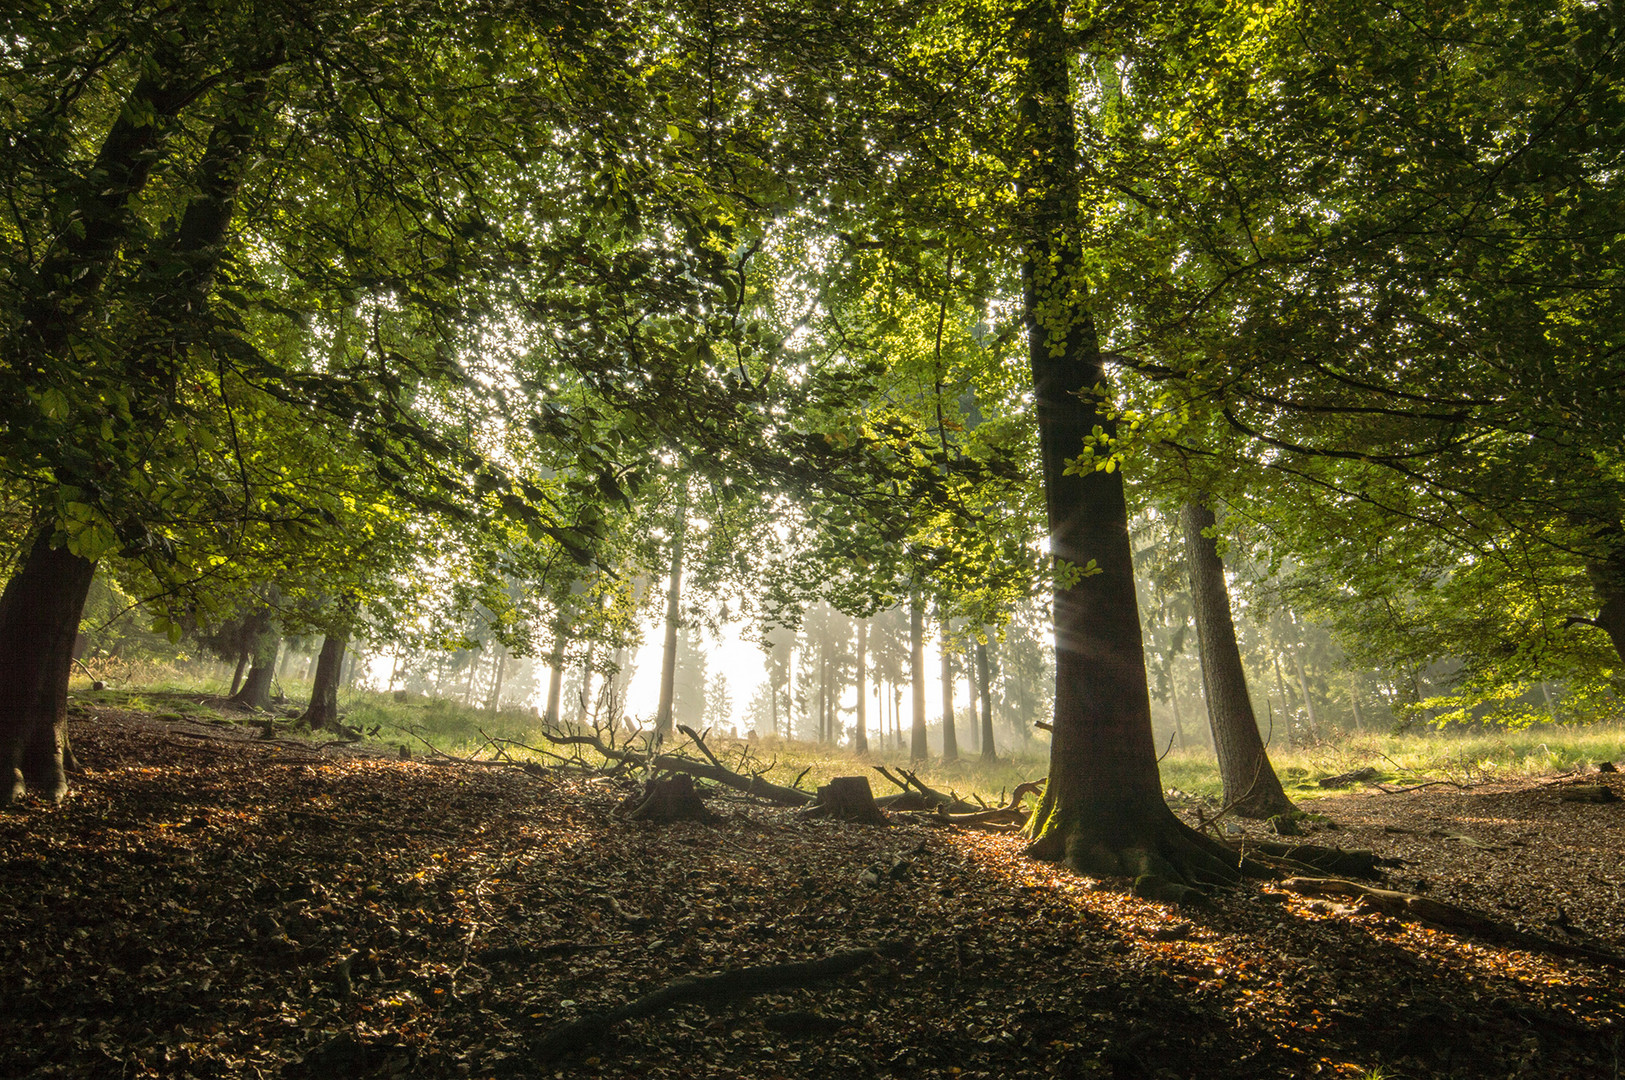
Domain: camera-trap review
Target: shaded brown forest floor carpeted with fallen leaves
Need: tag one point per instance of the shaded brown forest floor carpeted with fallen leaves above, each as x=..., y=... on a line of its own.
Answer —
x=212, y=905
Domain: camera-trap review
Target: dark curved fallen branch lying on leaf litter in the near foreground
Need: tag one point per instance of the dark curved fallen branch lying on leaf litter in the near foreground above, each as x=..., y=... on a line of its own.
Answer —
x=711, y=988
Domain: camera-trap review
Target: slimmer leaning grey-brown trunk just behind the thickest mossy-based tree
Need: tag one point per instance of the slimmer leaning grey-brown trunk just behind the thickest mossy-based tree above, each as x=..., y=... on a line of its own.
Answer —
x=1250, y=785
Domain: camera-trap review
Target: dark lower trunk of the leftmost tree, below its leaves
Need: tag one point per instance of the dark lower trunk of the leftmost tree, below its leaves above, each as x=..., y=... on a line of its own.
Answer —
x=40, y=621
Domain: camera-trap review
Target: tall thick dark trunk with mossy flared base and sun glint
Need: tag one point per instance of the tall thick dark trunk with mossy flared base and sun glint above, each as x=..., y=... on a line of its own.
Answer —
x=1103, y=810
